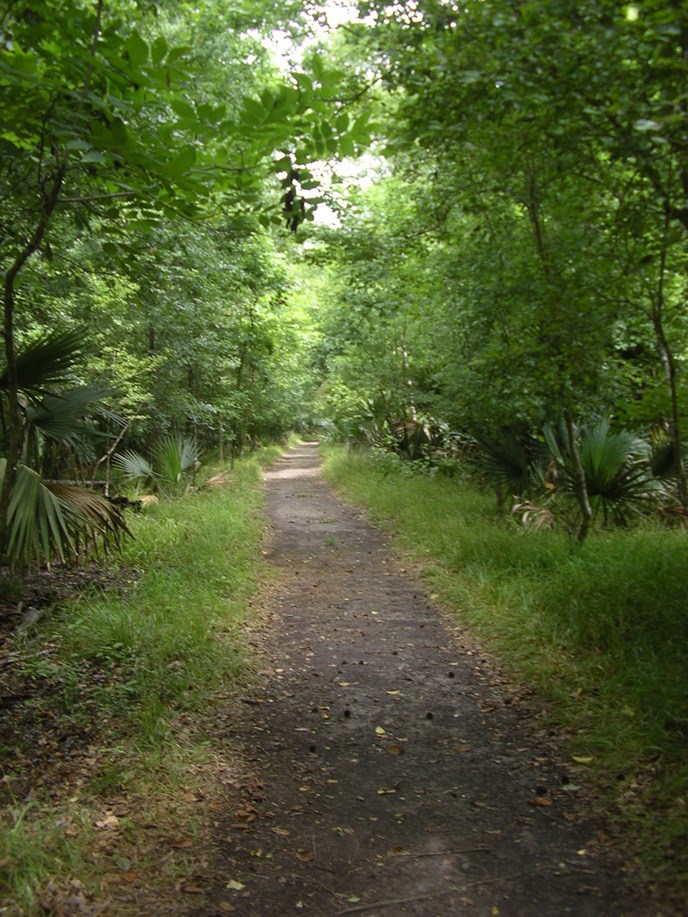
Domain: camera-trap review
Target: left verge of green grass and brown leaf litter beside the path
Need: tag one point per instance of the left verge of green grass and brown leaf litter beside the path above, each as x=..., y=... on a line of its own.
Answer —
x=112, y=751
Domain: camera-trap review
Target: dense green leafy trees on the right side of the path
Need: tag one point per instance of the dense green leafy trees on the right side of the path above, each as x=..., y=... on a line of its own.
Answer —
x=520, y=261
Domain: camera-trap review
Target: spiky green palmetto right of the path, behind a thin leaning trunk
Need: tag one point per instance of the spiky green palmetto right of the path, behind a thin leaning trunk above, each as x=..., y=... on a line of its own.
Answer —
x=617, y=470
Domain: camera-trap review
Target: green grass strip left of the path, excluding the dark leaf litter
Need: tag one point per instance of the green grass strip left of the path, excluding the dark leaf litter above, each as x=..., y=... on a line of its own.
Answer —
x=127, y=665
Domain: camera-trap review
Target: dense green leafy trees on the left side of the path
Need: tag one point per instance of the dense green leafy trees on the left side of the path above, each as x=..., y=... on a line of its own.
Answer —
x=144, y=156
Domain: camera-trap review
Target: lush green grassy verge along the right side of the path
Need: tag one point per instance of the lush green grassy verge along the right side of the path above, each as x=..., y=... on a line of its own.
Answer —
x=600, y=632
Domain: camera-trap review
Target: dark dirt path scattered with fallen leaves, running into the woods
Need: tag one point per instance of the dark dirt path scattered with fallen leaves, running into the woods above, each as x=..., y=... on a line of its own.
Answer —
x=391, y=777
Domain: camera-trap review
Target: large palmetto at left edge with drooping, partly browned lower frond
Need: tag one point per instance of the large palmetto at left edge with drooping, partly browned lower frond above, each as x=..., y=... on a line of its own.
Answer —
x=47, y=519
